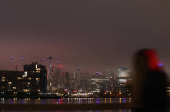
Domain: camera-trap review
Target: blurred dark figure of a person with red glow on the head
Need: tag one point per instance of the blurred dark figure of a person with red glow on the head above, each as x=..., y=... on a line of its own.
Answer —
x=149, y=82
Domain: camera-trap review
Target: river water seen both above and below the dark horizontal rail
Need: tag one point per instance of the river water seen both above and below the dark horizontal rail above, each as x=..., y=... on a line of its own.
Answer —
x=69, y=101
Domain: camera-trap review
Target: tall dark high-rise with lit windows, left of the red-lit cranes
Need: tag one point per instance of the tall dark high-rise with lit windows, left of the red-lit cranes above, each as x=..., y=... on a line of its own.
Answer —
x=38, y=73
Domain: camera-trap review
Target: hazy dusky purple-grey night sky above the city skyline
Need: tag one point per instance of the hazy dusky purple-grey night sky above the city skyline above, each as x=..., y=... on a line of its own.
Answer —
x=91, y=34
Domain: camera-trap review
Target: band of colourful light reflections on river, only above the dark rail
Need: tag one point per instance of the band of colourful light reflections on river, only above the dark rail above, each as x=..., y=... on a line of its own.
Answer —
x=66, y=101
